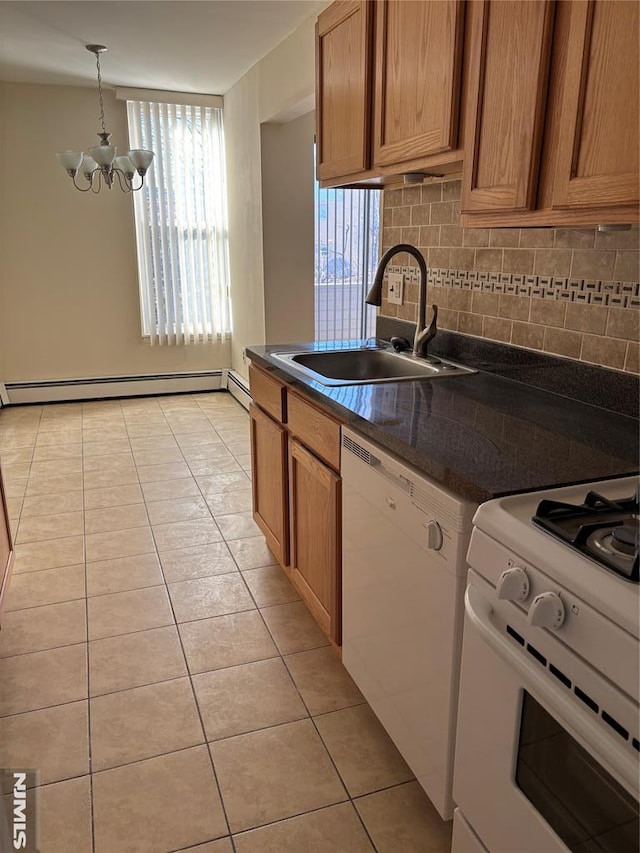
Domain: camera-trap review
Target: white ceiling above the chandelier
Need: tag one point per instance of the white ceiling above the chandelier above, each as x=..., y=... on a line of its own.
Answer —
x=180, y=45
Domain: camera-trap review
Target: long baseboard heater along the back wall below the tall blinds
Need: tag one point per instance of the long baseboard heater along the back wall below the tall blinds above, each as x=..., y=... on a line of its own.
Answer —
x=65, y=390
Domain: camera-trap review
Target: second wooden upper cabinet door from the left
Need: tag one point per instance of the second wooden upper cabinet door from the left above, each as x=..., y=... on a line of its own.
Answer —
x=418, y=64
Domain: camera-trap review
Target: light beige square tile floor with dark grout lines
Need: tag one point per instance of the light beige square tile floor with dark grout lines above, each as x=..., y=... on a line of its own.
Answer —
x=159, y=669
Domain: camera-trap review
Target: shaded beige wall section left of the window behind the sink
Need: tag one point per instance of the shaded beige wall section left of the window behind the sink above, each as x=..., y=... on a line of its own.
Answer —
x=287, y=212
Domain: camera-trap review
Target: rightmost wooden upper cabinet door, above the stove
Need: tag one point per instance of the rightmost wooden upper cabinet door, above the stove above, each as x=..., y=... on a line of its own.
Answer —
x=599, y=120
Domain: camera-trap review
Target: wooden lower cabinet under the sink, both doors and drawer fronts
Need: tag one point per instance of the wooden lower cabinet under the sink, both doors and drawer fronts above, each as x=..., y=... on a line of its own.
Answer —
x=295, y=463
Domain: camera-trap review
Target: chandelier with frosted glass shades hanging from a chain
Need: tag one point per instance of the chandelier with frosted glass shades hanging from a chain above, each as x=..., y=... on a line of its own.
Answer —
x=101, y=167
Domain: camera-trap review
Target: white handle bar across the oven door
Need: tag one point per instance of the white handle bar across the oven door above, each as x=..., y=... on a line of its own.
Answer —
x=617, y=758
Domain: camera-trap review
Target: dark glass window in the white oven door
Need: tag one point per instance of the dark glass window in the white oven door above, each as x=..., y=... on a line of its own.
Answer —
x=581, y=802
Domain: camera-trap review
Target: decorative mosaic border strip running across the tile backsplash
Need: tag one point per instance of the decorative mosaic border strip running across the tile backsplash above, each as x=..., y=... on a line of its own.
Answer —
x=620, y=294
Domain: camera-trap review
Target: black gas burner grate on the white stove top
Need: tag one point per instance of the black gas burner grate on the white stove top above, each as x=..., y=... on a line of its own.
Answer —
x=607, y=531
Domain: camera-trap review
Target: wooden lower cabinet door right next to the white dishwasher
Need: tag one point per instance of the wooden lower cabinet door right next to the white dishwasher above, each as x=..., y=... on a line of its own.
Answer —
x=315, y=502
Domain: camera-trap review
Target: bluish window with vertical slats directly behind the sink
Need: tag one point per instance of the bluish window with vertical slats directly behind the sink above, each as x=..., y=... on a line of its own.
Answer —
x=347, y=224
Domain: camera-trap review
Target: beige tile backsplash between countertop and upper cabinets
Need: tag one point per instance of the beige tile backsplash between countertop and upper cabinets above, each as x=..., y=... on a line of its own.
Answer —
x=570, y=292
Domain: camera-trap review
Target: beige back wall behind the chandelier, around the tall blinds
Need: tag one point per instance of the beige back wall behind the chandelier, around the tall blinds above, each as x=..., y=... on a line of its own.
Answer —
x=68, y=279
